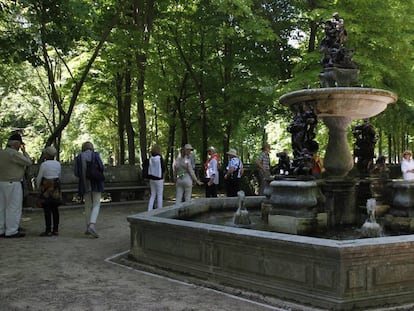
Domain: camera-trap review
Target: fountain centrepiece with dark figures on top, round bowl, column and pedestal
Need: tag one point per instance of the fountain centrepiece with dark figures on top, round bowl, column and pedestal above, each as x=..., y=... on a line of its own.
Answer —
x=337, y=103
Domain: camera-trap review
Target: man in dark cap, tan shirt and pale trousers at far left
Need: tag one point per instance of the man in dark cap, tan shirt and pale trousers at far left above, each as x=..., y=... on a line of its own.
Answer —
x=12, y=167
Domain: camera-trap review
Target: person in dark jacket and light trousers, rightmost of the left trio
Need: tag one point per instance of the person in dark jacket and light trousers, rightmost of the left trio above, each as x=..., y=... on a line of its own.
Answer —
x=89, y=189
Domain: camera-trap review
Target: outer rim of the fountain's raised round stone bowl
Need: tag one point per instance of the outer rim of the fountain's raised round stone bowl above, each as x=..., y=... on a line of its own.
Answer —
x=311, y=94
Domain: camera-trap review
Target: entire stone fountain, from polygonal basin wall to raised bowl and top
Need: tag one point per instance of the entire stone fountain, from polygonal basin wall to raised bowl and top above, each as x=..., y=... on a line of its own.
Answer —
x=353, y=274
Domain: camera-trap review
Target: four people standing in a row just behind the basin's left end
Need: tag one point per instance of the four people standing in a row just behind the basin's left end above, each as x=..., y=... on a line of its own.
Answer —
x=185, y=176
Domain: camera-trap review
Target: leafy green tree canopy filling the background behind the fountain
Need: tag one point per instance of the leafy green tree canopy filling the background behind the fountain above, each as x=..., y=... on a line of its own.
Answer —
x=243, y=55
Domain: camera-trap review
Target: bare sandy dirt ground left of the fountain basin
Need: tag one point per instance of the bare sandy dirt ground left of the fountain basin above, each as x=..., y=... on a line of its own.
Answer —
x=74, y=272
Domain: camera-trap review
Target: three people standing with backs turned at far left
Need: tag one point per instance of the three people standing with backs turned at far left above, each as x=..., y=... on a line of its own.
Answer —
x=13, y=163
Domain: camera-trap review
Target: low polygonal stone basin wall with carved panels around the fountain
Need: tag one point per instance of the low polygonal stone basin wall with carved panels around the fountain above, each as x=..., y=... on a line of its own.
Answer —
x=331, y=274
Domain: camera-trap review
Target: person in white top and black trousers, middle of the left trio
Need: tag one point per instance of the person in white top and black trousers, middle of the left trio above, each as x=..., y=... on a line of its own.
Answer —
x=48, y=182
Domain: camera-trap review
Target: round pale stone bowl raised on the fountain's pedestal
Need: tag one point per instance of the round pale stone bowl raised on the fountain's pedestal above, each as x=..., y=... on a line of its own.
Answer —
x=351, y=102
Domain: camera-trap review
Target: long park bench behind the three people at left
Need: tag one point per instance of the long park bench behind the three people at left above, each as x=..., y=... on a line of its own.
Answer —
x=122, y=183
